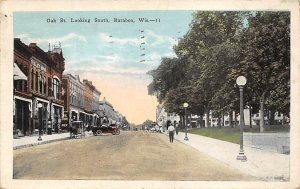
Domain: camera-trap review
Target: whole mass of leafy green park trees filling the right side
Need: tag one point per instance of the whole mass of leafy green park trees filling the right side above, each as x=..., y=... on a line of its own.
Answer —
x=219, y=47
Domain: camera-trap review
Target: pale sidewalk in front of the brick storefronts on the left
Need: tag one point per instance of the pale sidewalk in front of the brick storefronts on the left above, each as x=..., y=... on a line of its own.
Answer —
x=28, y=141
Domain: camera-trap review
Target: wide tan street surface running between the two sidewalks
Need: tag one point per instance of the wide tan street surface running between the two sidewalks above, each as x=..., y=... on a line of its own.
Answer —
x=131, y=155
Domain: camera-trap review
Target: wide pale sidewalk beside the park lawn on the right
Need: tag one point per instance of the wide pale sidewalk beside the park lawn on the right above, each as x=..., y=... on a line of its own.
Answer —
x=262, y=164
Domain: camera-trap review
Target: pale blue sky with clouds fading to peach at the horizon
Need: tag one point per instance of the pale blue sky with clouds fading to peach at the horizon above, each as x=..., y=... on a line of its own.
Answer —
x=115, y=56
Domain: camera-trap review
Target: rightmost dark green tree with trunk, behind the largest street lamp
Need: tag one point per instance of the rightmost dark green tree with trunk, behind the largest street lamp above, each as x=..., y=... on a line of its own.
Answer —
x=266, y=52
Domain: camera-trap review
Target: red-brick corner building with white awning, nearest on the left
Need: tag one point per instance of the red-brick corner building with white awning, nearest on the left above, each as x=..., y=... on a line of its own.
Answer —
x=37, y=99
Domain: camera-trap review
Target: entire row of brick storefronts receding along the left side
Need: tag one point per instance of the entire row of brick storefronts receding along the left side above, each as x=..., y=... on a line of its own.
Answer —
x=48, y=101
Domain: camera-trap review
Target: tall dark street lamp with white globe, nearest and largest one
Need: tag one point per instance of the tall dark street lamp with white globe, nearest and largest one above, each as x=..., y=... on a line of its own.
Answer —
x=241, y=82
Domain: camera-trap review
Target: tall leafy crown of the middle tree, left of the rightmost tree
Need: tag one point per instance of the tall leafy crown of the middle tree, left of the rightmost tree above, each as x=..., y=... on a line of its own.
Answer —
x=212, y=46
